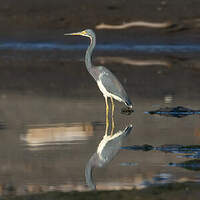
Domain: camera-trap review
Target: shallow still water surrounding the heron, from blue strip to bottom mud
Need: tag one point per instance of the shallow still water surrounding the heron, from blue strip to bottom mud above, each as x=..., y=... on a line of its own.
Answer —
x=52, y=117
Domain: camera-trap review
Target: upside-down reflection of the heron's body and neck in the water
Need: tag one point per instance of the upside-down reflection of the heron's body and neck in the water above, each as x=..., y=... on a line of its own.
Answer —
x=106, y=151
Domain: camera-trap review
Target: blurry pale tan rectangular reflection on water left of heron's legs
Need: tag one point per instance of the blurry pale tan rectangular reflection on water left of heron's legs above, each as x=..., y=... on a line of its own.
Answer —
x=56, y=134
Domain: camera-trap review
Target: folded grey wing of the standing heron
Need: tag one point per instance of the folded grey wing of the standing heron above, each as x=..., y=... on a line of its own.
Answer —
x=111, y=83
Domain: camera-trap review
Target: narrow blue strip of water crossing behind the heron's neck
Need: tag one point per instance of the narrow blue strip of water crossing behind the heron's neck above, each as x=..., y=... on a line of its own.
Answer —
x=151, y=48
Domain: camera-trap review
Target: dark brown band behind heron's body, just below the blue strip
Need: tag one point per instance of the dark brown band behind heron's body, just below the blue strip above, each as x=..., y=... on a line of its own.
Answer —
x=24, y=72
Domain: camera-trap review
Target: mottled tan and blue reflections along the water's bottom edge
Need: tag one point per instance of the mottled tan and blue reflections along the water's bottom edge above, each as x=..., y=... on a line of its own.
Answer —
x=139, y=182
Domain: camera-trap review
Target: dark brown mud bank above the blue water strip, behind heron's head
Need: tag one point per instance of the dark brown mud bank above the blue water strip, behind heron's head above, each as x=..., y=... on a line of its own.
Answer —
x=48, y=20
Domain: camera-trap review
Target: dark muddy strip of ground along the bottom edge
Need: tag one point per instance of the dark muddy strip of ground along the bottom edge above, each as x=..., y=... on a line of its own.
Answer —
x=179, y=191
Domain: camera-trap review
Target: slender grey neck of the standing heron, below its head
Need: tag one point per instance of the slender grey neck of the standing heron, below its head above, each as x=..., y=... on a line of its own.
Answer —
x=88, y=55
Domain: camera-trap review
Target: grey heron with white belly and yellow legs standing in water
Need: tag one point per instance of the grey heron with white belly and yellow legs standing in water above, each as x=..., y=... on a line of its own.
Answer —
x=107, y=82
